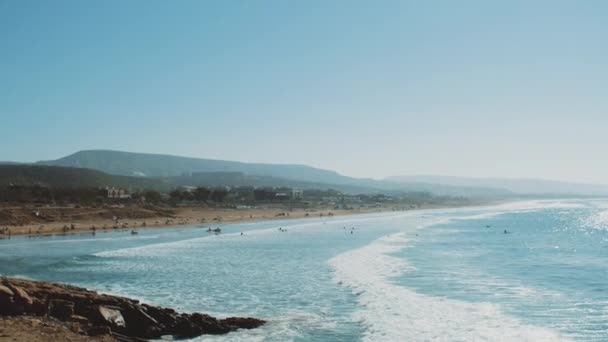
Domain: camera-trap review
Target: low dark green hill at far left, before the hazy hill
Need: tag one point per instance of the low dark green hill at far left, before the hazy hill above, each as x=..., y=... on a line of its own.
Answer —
x=54, y=176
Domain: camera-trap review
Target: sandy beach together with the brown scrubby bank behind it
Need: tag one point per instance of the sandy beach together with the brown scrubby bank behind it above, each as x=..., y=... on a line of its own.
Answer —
x=96, y=220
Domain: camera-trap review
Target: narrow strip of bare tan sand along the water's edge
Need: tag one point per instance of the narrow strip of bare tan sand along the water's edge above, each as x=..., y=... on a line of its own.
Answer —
x=189, y=216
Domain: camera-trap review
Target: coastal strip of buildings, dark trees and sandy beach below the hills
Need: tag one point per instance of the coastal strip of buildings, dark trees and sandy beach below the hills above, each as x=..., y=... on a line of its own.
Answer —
x=38, y=210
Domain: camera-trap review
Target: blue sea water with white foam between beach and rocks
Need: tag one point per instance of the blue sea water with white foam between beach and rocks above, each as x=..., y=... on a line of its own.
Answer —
x=435, y=275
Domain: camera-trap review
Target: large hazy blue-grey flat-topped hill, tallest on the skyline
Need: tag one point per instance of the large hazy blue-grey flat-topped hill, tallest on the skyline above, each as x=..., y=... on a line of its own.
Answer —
x=209, y=172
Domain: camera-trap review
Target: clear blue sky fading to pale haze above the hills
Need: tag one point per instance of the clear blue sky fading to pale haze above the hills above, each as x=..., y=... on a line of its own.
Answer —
x=370, y=88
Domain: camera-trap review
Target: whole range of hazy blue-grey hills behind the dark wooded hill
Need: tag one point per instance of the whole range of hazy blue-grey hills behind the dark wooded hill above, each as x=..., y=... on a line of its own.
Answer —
x=168, y=170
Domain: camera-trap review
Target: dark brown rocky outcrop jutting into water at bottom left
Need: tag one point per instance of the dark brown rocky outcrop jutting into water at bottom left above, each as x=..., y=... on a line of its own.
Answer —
x=95, y=314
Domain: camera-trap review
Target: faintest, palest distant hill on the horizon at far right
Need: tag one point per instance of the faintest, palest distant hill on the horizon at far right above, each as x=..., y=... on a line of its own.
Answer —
x=518, y=186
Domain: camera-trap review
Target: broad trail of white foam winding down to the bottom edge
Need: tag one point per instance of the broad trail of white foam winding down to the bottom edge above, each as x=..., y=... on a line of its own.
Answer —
x=394, y=313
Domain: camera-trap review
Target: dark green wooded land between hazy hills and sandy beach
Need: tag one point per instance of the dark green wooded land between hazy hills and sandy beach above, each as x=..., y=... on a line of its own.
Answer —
x=51, y=184
